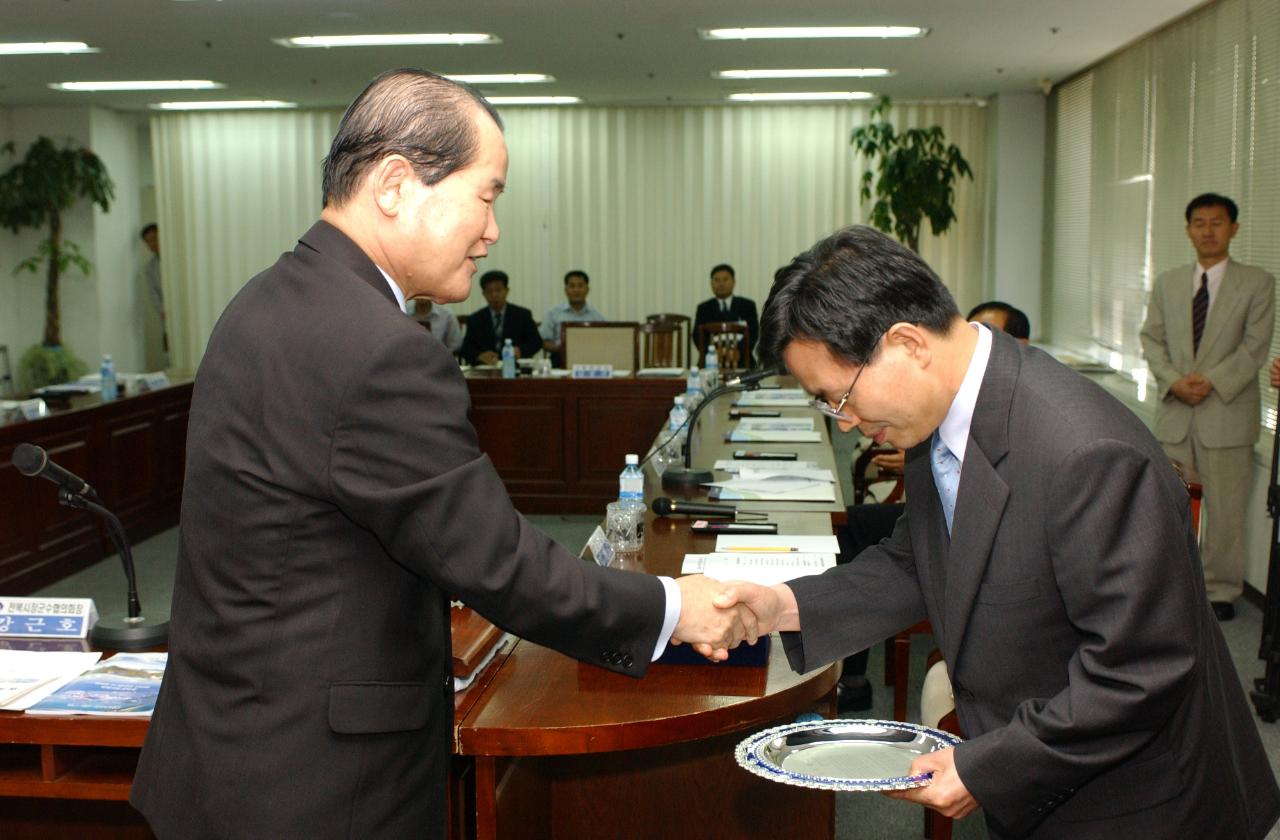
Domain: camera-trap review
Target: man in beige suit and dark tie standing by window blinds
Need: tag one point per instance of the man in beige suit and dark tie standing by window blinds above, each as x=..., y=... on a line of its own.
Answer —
x=1208, y=418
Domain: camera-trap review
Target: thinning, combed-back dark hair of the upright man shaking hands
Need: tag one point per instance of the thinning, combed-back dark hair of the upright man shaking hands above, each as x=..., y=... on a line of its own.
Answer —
x=424, y=117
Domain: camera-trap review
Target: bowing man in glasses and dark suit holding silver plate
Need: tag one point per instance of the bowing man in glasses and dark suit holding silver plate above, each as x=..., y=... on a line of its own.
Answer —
x=1050, y=544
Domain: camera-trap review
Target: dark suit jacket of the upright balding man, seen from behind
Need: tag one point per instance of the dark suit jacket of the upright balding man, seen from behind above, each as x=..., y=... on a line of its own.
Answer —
x=335, y=501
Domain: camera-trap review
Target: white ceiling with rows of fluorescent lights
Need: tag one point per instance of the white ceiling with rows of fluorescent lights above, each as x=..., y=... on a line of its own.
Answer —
x=606, y=52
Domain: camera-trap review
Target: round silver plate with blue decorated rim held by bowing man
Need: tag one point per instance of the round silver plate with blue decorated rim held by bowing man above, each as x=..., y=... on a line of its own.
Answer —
x=843, y=755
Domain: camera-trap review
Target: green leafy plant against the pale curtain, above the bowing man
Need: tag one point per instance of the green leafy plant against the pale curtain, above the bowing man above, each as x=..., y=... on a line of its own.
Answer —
x=917, y=171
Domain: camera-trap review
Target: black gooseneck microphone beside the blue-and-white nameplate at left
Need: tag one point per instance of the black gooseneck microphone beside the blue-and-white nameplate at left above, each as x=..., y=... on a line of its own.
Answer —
x=131, y=632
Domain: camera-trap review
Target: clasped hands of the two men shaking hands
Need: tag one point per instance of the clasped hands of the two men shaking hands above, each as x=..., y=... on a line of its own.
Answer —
x=717, y=617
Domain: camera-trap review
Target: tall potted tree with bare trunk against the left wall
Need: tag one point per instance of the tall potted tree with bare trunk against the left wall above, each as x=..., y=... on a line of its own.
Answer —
x=34, y=194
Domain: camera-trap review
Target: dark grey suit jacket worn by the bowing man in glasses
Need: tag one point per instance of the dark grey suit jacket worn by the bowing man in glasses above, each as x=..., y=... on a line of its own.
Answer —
x=1090, y=675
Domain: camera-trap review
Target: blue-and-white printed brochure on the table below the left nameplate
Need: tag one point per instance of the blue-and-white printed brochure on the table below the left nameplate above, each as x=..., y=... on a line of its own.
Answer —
x=126, y=686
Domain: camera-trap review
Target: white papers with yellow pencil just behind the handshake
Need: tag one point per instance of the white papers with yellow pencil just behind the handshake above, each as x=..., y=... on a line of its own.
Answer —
x=766, y=559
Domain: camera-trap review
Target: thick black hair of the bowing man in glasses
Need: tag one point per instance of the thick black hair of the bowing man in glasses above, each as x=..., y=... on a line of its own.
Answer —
x=847, y=291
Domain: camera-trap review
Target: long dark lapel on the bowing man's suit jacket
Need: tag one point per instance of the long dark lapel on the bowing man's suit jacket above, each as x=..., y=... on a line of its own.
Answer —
x=982, y=496
